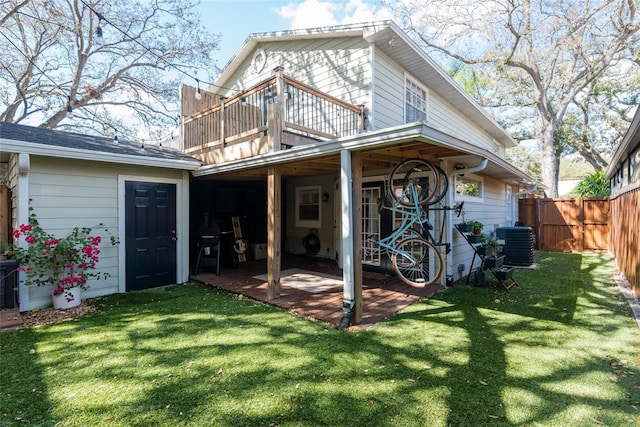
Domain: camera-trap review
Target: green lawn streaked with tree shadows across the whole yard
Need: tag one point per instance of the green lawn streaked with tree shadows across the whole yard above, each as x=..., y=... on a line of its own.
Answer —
x=562, y=349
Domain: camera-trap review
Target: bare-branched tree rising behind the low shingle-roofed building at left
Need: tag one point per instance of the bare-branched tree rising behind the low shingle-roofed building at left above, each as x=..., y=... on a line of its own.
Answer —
x=53, y=60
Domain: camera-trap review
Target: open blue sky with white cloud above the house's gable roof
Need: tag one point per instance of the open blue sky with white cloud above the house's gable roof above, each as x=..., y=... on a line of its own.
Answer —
x=235, y=20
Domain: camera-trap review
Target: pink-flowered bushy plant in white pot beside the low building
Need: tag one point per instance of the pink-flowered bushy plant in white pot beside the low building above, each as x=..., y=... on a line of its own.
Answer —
x=66, y=263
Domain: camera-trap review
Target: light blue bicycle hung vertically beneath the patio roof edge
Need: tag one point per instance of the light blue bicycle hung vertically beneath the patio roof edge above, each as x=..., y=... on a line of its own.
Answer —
x=412, y=185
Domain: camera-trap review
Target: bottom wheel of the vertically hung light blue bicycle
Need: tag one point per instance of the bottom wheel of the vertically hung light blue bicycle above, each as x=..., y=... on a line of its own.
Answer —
x=417, y=262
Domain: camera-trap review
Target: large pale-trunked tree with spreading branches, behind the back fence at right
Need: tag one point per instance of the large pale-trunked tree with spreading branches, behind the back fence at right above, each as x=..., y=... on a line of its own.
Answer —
x=544, y=53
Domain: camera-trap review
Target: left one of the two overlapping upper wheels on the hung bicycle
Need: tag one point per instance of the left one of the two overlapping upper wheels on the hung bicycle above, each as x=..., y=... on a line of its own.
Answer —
x=413, y=179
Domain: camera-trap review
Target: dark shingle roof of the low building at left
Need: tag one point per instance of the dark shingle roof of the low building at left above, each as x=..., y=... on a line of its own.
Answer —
x=96, y=144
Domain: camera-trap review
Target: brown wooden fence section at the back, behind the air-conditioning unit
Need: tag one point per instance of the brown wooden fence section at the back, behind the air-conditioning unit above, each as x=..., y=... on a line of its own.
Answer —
x=568, y=224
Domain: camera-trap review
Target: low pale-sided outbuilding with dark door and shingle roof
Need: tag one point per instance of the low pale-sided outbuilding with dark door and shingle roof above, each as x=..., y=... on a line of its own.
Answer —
x=141, y=194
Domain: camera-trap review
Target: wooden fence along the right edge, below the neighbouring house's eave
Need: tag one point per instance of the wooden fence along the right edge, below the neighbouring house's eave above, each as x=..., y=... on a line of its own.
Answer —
x=624, y=242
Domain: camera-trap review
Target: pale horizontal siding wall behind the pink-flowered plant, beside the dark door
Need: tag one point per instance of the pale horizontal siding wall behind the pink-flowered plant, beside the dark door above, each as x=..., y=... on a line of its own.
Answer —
x=72, y=193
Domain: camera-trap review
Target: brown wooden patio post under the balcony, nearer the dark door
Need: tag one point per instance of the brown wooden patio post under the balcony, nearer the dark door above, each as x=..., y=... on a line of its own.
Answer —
x=274, y=243
